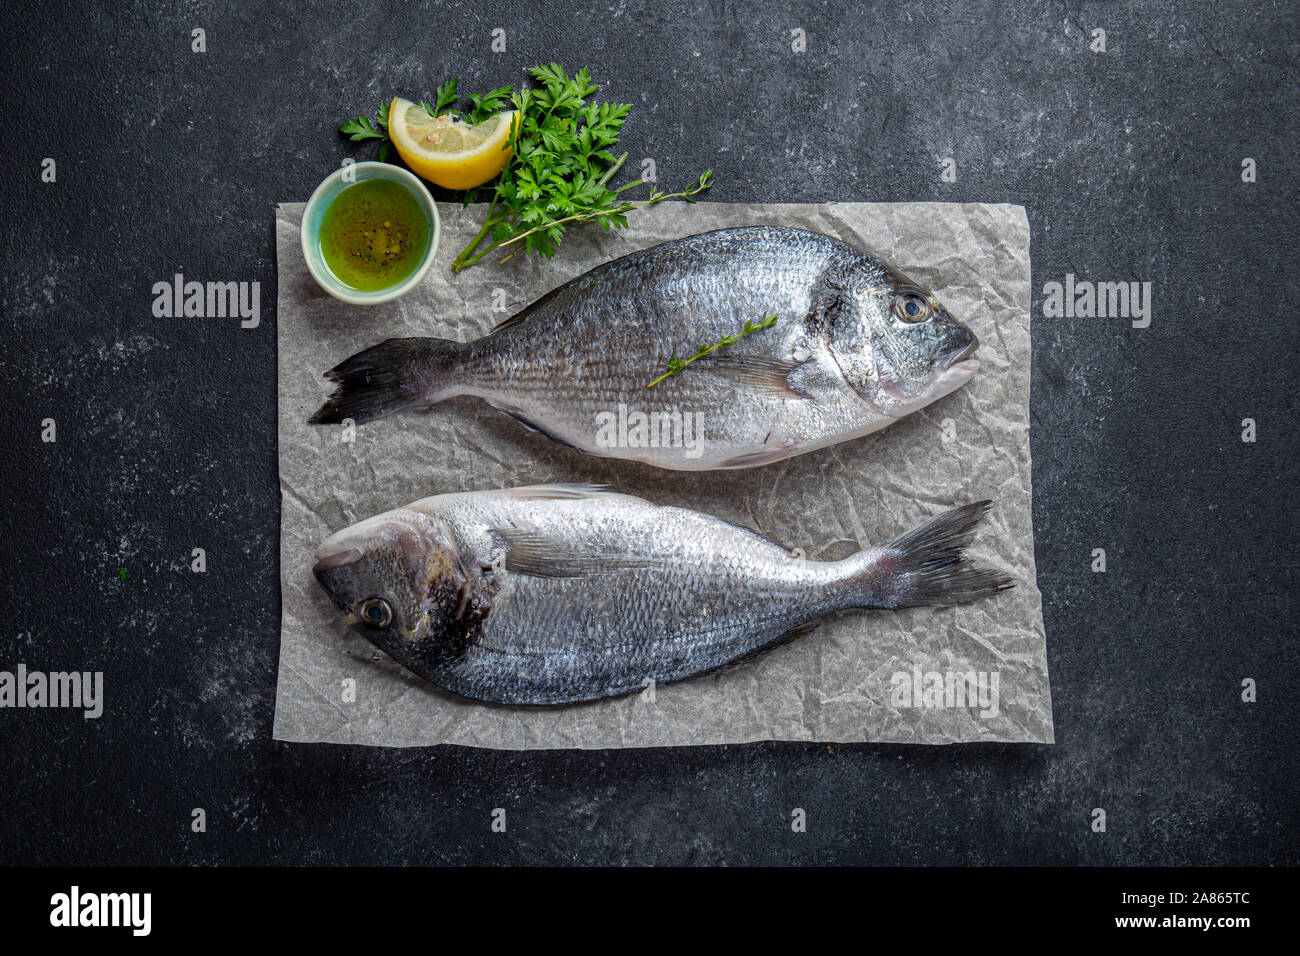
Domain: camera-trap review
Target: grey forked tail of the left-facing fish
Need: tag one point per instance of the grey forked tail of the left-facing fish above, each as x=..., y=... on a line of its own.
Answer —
x=926, y=566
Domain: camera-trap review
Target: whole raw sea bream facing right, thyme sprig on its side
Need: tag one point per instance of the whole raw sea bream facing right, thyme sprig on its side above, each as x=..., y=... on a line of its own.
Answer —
x=856, y=347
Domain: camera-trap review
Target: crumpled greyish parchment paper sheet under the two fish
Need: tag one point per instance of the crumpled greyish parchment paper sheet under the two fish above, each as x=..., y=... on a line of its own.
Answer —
x=860, y=677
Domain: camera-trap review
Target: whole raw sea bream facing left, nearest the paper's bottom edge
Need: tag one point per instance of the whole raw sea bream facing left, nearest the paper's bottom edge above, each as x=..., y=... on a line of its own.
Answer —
x=564, y=594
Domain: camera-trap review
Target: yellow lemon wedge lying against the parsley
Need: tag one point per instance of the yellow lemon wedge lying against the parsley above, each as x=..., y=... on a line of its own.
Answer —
x=447, y=152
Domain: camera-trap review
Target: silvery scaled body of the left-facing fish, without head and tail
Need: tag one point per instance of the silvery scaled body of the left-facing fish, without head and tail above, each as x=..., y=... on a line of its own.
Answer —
x=707, y=595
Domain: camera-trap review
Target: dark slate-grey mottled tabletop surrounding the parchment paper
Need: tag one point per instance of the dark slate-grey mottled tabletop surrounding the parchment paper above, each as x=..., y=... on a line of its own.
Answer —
x=1129, y=163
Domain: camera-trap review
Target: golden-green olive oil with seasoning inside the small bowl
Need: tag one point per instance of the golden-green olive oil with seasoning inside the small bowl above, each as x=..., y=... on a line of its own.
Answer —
x=374, y=235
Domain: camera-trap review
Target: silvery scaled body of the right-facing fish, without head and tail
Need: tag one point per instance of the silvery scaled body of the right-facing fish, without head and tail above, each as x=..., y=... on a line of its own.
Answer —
x=592, y=347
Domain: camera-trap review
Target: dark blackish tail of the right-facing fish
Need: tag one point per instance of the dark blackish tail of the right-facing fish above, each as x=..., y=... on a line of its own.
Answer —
x=393, y=375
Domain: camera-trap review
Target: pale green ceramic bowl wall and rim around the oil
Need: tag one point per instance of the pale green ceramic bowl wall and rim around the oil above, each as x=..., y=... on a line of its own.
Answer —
x=315, y=213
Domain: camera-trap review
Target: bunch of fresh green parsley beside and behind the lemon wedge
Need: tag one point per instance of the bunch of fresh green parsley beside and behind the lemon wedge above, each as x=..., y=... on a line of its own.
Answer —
x=561, y=168
